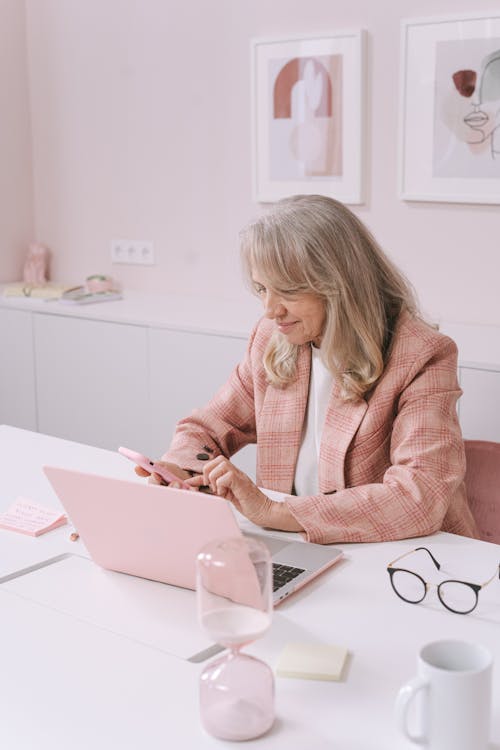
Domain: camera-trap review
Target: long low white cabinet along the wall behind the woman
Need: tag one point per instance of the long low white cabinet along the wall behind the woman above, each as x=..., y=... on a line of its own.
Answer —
x=125, y=374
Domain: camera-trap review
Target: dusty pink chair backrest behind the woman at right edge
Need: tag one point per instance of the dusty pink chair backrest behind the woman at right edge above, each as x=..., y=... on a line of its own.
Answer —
x=482, y=480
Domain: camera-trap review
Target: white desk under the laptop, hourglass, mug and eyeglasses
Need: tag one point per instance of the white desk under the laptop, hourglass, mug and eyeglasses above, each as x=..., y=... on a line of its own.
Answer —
x=65, y=683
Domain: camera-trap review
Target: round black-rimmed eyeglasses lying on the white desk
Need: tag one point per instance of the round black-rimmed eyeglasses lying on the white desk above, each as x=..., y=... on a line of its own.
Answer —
x=460, y=597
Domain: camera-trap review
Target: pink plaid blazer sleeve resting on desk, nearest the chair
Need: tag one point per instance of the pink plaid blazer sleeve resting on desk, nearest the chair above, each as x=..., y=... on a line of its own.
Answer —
x=423, y=482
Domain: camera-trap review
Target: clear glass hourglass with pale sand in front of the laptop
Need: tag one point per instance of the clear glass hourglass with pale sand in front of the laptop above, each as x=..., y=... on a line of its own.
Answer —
x=234, y=596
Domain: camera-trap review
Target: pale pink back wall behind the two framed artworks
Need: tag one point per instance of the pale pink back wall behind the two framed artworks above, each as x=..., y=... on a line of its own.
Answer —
x=141, y=129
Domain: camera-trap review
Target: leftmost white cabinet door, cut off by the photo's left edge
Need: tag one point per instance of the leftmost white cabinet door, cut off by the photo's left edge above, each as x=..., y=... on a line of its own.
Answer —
x=17, y=374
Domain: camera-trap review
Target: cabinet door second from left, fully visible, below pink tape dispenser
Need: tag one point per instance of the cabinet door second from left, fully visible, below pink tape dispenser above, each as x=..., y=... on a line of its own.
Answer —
x=92, y=383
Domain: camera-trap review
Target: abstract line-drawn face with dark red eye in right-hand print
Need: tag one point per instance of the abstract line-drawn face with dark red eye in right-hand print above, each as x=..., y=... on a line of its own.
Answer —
x=483, y=90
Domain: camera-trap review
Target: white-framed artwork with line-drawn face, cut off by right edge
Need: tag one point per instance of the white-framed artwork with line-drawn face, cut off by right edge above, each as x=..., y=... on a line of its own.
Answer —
x=450, y=109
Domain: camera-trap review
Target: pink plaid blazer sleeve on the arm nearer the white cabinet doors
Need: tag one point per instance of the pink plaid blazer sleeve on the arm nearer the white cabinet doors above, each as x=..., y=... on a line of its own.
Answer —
x=224, y=425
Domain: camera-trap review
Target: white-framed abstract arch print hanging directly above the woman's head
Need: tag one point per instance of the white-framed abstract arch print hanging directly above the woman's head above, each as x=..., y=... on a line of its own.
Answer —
x=307, y=116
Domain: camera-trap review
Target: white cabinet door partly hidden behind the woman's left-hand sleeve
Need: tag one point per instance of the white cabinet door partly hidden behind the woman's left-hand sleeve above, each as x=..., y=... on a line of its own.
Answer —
x=186, y=369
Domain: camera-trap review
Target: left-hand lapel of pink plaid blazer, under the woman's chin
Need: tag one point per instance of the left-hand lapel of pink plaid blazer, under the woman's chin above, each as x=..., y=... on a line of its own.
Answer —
x=280, y=427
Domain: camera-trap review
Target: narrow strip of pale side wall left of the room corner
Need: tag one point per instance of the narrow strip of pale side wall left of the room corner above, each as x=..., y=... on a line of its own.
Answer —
x=16, y=188
